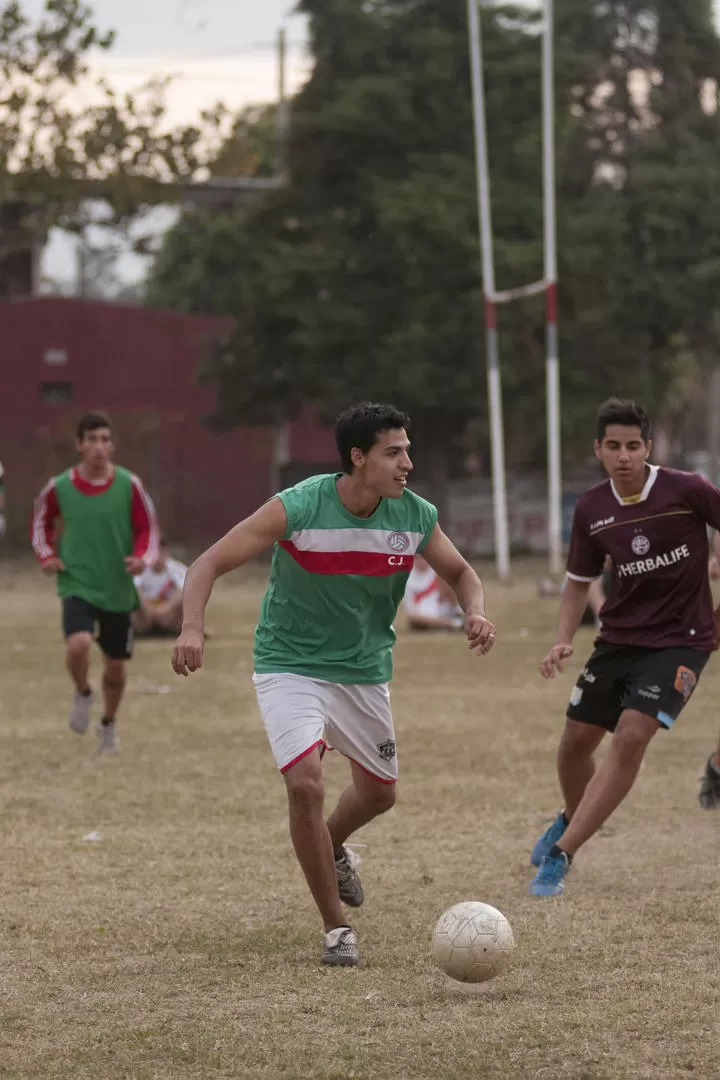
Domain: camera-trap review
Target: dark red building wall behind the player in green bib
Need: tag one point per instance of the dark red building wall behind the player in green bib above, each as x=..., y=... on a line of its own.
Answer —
x=61, y=358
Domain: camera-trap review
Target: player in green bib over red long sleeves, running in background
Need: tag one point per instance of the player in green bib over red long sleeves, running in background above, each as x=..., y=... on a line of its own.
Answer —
x=108, y=534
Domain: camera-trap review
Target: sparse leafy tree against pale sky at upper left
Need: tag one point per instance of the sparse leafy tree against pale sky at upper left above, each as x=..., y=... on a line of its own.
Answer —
x=55, y=157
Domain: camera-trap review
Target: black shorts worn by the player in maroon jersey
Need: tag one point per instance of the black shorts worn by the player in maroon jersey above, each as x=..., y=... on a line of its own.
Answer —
x=656, y=682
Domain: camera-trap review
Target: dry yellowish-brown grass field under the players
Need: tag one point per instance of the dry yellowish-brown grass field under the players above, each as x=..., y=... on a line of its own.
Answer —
x=183, y=943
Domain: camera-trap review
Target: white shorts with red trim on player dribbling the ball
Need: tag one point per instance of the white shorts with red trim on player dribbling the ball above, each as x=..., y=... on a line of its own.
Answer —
x=303, y=713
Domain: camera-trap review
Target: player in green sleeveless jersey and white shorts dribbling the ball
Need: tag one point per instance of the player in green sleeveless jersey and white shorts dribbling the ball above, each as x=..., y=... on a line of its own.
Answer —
x=345, y=545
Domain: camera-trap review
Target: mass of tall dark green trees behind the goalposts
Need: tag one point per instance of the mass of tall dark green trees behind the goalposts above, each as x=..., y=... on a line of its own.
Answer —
x=362, y=278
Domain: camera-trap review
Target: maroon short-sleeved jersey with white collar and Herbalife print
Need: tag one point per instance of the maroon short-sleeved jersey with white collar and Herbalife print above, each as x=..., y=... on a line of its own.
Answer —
x=660, y=596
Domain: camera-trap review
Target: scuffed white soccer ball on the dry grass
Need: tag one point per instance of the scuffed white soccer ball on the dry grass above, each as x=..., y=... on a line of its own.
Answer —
x=472, y=942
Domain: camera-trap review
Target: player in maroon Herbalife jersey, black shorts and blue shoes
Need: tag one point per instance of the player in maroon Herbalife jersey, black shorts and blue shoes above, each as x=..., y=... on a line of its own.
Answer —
x=659, y=627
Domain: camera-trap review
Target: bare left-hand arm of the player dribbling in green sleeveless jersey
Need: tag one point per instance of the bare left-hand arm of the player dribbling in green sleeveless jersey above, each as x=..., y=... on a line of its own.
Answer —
x=242, y=544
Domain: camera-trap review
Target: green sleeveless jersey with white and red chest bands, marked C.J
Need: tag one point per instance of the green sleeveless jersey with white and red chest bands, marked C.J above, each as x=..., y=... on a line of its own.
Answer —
x=336, y=584
